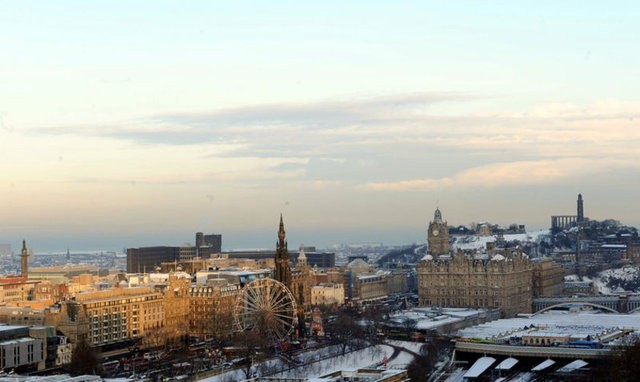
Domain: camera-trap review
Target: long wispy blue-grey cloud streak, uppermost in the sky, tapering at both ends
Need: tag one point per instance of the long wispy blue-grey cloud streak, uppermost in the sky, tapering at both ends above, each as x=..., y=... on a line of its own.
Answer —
x=234, y=125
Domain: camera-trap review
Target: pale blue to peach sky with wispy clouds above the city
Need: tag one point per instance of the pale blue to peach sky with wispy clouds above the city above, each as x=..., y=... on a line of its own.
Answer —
x=133, y=123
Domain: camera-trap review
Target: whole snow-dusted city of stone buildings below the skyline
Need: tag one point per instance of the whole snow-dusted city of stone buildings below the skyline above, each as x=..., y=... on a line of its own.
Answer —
x=471, y=303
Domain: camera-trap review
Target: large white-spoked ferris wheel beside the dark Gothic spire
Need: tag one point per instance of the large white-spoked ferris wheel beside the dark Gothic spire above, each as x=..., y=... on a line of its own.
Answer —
x=267, y=307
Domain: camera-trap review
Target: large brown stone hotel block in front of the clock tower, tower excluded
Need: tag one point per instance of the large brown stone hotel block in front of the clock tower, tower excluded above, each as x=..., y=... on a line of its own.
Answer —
x=503, y=282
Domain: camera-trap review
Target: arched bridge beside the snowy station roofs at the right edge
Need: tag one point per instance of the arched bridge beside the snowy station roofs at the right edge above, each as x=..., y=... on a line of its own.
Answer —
x=614, y=304
